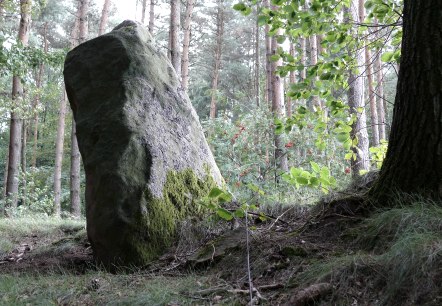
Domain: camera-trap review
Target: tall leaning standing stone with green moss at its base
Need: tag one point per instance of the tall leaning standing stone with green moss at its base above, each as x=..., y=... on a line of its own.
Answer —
x=144, y=152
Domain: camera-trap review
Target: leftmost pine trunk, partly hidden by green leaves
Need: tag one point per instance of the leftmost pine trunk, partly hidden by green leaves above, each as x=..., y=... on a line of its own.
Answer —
x=16, y=121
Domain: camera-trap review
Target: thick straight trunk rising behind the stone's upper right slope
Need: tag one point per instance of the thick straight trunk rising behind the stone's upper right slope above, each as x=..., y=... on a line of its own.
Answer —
x=174, y=34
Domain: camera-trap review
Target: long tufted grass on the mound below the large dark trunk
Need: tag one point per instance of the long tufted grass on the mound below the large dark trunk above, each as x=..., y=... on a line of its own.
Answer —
x=395, y=259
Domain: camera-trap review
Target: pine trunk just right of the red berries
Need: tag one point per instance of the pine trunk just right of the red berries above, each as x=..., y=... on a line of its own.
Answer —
x=278, y=106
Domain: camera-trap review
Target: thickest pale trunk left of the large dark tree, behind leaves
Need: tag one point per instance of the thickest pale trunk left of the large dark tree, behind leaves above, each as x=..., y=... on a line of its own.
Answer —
x=356, y=102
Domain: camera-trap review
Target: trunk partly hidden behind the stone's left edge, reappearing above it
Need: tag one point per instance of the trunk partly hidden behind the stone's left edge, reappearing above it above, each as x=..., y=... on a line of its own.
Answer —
x=75, y=153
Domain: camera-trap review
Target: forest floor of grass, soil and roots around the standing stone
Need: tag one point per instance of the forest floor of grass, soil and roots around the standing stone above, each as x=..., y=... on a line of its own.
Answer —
x=317, y=256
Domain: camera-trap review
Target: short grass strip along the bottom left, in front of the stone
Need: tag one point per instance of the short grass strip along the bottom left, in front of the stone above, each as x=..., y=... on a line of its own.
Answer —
x=96, y=288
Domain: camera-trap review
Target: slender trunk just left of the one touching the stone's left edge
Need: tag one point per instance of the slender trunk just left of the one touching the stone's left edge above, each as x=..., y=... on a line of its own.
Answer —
x=59, y=155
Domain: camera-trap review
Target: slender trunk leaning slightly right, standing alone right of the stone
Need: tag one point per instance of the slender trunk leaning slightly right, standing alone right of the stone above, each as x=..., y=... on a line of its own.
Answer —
x=217, y=57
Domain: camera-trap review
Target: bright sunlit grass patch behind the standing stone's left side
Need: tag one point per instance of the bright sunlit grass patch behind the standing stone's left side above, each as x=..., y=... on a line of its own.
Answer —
x=14, y=231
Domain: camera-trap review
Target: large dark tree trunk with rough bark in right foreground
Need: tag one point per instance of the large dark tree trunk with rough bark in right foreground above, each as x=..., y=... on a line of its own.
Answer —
x=414, y=159
